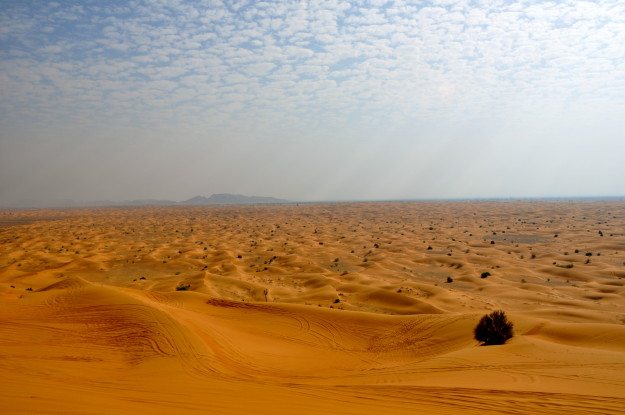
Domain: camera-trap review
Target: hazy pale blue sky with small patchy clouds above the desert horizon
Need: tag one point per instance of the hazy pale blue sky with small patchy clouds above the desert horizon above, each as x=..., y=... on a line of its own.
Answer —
x=311, y=100
